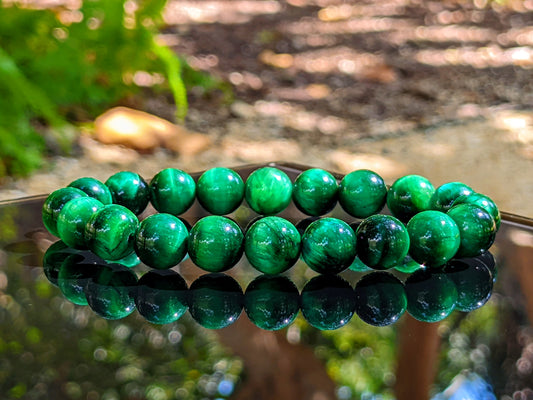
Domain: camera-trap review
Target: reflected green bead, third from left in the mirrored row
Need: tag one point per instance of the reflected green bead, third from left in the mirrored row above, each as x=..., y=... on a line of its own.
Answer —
x=110, y=292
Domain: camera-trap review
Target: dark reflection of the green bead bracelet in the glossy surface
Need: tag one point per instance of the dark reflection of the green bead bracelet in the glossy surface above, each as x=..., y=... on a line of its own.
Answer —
x=271, y=302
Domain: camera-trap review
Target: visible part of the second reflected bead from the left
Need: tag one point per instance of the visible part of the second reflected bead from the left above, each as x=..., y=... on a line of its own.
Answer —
x=72, y=279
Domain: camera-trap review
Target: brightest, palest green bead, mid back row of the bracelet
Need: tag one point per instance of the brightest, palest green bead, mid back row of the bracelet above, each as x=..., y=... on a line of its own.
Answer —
x=268, y=191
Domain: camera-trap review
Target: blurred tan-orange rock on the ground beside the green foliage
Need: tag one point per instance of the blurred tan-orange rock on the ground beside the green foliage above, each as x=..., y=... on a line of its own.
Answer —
x=146, y=132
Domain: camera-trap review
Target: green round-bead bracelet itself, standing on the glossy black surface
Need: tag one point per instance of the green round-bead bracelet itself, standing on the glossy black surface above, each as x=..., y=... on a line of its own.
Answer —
x=443, y=223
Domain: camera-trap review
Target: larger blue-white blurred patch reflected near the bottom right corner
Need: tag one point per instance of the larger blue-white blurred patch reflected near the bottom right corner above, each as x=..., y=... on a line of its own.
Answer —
x=467, y=386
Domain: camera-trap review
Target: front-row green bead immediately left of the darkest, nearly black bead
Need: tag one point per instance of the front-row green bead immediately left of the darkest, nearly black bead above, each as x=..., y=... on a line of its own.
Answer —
x=328, y=246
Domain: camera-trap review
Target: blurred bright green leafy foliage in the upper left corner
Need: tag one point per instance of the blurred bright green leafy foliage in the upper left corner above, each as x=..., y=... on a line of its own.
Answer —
x=58, y=64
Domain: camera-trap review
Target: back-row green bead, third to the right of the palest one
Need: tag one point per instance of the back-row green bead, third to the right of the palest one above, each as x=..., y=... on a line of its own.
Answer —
x=409, y=195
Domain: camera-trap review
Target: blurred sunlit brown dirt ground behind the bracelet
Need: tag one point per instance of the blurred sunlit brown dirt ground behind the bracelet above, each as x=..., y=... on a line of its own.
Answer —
x=437, y=88
